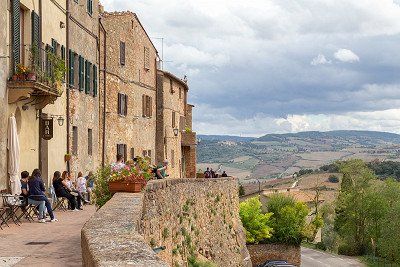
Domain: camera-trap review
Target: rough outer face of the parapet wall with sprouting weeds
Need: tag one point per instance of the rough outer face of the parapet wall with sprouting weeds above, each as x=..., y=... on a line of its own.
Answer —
x=199, y=216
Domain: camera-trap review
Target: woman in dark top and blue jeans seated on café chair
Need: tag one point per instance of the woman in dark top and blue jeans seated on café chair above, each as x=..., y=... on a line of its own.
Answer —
x=37, y=192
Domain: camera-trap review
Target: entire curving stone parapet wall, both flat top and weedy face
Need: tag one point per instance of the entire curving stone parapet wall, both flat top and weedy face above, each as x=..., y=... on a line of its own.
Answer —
x=185, y=217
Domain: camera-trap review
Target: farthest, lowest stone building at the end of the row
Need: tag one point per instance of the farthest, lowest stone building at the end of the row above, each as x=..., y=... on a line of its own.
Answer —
x=175, y=139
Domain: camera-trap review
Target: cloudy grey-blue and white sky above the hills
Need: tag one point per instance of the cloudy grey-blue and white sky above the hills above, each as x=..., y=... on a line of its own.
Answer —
x=275, y=66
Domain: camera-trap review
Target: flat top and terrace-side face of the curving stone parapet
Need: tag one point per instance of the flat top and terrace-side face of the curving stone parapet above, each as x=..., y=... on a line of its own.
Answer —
x=110, y=237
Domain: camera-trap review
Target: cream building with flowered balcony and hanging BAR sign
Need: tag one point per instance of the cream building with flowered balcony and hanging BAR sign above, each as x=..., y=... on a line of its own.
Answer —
x=35, y=40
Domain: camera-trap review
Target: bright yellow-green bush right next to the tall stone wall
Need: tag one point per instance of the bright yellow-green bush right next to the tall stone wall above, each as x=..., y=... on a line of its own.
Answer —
x=255, y=222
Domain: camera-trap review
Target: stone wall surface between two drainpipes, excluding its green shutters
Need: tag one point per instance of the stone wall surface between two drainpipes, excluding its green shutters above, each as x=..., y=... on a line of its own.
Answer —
x=84, y=108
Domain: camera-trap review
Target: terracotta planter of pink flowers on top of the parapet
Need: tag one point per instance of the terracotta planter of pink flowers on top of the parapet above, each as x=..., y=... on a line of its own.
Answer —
x=131, y=178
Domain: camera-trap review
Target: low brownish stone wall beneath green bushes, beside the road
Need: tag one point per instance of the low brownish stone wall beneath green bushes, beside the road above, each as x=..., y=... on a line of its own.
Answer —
x=263, y=252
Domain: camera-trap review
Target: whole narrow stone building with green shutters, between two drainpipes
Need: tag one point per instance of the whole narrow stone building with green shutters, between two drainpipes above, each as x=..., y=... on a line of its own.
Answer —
x=83, y=81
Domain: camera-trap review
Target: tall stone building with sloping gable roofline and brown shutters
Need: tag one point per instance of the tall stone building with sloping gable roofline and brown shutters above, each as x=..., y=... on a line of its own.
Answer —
x=129, y=104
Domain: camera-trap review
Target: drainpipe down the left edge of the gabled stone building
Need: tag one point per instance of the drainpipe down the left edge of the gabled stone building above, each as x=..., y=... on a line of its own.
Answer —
x=103, y=152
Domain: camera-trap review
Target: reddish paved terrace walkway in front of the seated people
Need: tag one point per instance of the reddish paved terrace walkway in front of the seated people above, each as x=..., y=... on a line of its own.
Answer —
x=57, y=244
